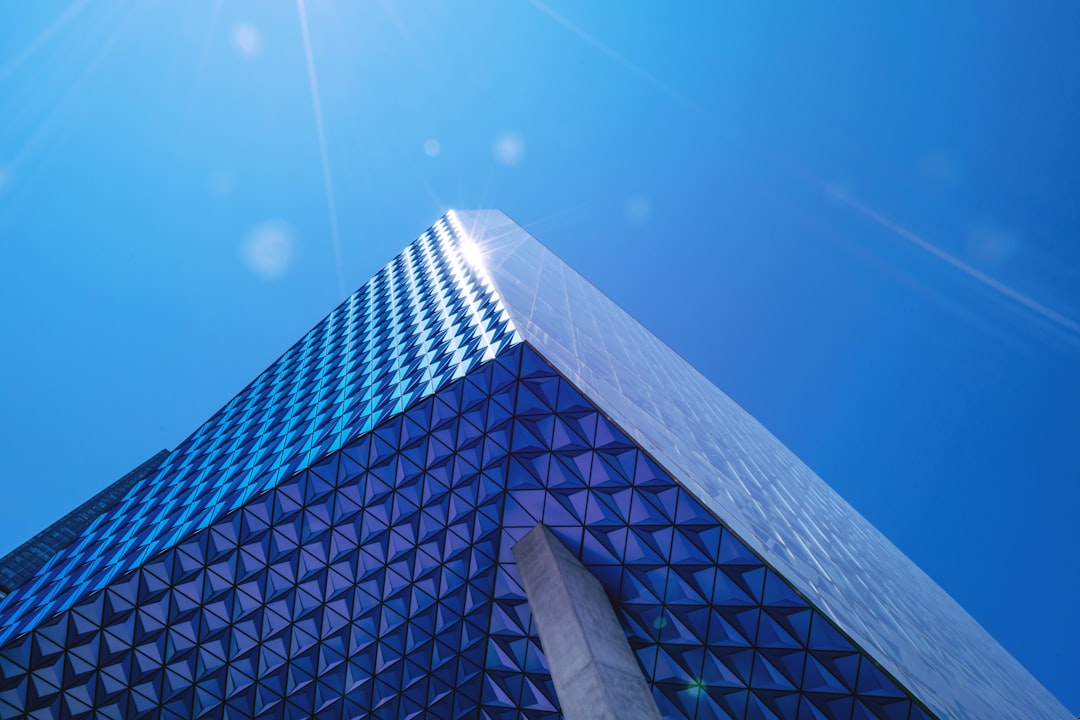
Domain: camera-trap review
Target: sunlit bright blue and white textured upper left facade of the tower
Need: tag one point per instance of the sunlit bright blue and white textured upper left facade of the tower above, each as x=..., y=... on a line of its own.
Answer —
x=424, y=320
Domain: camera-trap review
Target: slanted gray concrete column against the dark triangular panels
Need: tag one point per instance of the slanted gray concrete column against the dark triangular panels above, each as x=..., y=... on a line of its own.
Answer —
x=596, y=673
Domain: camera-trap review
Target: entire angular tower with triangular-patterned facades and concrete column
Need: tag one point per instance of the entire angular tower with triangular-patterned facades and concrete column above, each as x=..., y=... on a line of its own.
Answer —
x=404, y=515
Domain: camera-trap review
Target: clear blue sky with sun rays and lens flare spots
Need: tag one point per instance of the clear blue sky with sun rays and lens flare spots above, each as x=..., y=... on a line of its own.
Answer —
x=858, y=221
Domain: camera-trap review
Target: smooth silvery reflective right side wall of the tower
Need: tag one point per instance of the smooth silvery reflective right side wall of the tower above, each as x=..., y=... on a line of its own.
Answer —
x=755, y=485
